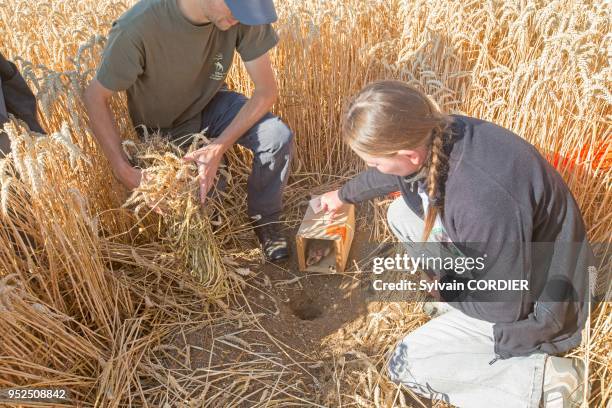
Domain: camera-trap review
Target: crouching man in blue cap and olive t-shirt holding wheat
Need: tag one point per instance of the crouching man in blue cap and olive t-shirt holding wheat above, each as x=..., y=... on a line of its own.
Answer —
x=172, y=56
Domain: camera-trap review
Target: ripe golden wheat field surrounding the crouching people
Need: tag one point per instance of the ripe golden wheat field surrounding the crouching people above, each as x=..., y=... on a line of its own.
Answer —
x=90, y=289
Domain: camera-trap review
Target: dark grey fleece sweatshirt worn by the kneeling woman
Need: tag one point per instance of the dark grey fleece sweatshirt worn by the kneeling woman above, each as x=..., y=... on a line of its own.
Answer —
x=503, y=199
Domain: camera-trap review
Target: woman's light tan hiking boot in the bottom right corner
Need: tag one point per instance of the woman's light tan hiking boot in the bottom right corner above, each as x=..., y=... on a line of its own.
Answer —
x=563, y=385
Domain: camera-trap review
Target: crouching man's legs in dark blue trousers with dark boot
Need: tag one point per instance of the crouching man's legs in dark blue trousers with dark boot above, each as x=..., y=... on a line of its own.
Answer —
x=271, y=142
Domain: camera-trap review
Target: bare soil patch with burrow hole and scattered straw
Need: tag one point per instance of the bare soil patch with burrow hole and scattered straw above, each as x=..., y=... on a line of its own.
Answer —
x=288, y=321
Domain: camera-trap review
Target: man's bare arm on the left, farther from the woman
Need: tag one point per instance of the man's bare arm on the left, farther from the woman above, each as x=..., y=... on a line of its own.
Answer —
x=105, y=130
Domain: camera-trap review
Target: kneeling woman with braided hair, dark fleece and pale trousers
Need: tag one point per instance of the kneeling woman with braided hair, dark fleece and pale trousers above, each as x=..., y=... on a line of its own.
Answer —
x=481, y=190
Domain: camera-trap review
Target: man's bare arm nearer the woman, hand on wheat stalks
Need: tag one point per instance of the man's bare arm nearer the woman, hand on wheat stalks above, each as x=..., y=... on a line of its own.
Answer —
x=264, y=95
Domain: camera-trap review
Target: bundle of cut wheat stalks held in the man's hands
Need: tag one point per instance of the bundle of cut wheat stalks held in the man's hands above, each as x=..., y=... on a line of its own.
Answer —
x=171, y=184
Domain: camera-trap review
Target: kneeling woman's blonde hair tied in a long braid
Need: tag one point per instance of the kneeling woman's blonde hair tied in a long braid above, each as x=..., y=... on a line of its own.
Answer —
x=388, y=116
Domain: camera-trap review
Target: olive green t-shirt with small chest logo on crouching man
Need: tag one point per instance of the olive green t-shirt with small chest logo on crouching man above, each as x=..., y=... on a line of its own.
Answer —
x=171, y=68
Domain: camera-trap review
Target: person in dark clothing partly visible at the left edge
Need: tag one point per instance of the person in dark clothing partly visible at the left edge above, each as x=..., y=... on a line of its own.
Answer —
x=17, y=99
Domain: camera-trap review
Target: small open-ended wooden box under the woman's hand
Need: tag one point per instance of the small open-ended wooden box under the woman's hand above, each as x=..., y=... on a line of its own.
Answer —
x=318, y=226
